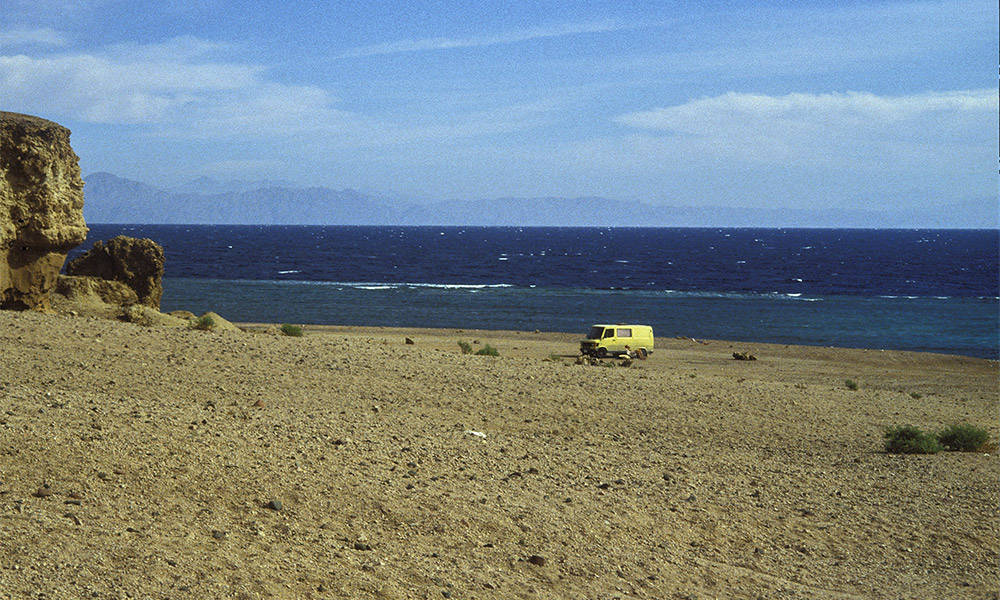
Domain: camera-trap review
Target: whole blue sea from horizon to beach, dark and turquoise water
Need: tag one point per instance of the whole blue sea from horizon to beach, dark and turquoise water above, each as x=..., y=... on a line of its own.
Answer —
x=925, y=290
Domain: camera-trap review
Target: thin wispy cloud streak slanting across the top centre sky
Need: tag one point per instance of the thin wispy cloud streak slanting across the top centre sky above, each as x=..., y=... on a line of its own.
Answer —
x=512, y=37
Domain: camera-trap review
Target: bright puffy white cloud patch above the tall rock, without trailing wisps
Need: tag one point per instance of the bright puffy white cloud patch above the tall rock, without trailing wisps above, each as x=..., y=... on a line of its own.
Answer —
x=164, y=85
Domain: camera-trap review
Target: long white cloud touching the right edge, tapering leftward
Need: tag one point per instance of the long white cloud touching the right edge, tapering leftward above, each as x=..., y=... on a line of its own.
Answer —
x=839, y=128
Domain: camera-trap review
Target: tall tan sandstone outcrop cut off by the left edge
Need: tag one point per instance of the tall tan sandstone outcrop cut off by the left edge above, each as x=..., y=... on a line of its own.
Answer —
x=41, y=208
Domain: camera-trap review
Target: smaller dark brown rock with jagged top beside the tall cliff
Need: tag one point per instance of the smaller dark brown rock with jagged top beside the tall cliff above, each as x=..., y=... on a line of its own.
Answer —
x=138, y=263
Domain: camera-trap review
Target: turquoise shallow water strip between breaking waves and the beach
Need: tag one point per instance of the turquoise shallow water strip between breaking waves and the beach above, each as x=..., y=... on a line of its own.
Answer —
x=967, y=326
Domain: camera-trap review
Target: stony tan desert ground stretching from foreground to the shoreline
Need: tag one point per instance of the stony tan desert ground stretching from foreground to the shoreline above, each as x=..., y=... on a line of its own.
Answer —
x=140, y=462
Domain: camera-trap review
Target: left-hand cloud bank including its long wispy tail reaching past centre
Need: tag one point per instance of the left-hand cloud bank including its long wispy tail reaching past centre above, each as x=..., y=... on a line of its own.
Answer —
x=183, y=88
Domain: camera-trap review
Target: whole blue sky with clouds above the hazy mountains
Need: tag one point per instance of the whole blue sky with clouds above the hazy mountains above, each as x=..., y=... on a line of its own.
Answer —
x=806, y=104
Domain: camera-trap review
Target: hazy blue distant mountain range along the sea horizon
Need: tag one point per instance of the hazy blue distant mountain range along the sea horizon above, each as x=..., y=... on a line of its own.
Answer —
x=112, y=199
